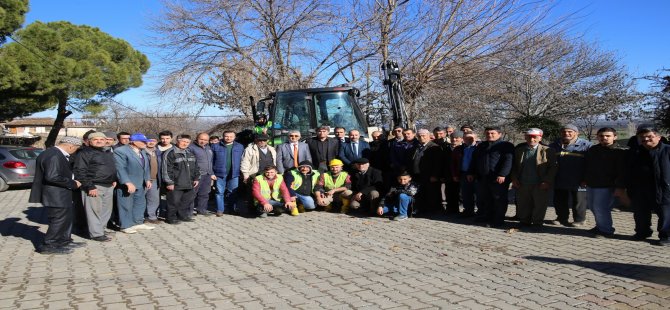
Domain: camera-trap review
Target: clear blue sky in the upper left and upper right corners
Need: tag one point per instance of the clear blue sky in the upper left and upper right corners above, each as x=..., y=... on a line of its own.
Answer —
x=635, y=30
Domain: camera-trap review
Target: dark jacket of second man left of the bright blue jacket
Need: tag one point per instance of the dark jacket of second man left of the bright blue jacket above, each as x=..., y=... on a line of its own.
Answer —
x=179, y=168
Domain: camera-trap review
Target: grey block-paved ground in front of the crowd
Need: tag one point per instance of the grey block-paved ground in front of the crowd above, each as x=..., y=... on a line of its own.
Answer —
x=319, y=260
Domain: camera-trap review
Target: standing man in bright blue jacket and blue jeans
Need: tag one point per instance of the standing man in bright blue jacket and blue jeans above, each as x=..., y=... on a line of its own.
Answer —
x=226, y=157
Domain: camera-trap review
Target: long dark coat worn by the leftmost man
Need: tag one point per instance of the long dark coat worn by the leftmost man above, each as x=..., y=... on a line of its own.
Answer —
x=53, y=183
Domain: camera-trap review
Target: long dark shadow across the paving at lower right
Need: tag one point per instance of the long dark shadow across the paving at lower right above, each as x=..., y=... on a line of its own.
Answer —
x=648, y=273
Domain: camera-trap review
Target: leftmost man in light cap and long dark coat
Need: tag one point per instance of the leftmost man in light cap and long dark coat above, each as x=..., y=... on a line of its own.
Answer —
x=52, y=187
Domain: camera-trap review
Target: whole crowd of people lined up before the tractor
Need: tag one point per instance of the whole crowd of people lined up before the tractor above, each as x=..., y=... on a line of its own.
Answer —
x=131, y=182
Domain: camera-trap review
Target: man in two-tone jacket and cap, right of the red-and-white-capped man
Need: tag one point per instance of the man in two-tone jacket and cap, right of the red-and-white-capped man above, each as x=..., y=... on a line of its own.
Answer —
x=568, y=192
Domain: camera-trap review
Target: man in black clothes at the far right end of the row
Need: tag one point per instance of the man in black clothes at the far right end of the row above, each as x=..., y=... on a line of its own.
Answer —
x=648, y=176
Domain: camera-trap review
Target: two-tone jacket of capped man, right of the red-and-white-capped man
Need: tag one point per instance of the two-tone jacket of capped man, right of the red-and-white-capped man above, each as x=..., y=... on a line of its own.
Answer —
x=570, y=163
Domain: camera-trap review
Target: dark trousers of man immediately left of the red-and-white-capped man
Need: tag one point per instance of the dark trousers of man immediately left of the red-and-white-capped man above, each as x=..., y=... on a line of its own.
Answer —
x=492, y=200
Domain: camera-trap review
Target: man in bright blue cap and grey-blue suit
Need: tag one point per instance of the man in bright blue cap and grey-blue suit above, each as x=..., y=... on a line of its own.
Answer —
x=133, y=174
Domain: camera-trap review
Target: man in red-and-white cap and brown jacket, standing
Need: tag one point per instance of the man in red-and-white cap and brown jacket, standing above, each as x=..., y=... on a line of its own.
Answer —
x=533, y=173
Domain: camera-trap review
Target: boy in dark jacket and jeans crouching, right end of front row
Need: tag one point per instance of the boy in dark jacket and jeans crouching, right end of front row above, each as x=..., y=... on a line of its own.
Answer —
x=398, y=199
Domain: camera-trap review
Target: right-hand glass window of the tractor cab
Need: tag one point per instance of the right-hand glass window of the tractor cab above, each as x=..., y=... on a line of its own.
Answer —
x=336, y=110
